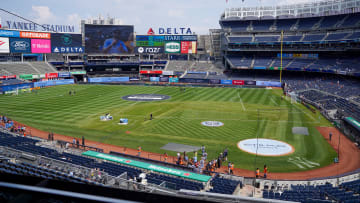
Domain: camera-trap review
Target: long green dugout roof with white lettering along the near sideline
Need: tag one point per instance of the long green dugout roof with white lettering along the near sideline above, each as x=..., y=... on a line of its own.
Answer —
x=148, y=166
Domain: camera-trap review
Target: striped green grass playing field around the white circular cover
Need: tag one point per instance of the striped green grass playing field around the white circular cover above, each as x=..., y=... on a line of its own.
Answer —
x=178, y=120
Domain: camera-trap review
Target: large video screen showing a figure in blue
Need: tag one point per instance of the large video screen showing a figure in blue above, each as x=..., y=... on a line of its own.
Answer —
x=109, y=39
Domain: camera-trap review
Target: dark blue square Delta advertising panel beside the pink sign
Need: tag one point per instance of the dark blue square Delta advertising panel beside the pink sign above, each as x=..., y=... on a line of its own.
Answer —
x=66, y=43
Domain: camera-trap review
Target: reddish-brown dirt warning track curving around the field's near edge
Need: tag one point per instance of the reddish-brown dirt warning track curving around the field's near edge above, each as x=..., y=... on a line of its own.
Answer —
x=348, y=153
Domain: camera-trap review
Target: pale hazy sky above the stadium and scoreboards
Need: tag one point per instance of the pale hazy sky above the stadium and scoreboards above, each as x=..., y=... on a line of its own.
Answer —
x=199, y=15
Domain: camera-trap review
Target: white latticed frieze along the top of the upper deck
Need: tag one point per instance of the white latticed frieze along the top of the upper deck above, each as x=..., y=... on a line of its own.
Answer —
x=318, y=8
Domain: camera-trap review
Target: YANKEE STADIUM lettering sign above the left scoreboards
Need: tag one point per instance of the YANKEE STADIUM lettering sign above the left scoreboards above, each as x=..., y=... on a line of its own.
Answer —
x=35, y=27
